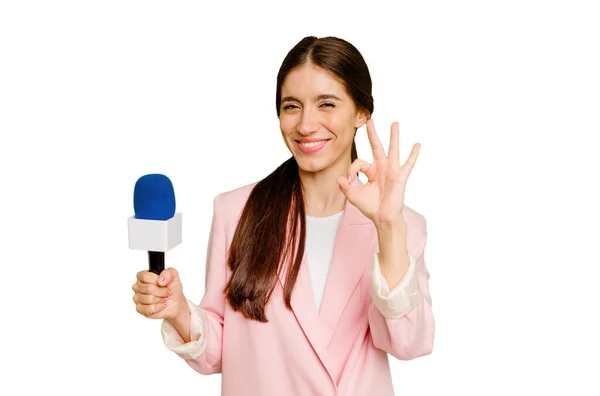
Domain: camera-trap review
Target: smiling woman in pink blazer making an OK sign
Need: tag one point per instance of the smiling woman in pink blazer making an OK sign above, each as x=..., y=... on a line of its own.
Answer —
x=318, y=310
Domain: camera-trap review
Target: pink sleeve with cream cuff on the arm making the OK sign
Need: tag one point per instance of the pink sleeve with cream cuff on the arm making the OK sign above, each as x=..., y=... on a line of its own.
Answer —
x=401, y=320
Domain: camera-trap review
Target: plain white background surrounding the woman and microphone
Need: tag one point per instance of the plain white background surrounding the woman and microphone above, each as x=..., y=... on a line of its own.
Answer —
x=503, y=96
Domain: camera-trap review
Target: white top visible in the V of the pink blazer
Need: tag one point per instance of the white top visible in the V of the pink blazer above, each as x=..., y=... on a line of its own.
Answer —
x=320, y=239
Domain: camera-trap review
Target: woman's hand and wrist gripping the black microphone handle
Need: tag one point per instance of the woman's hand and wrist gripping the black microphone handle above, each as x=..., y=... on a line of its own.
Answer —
x=161, y=297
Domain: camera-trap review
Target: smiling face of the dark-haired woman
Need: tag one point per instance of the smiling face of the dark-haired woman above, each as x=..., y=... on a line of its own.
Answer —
x=317, y=118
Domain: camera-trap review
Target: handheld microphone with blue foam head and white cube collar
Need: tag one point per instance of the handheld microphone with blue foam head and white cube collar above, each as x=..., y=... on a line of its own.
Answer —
x=155, y=227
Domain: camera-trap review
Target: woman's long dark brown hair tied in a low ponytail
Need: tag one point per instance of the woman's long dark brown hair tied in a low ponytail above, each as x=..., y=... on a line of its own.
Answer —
x=262, y=242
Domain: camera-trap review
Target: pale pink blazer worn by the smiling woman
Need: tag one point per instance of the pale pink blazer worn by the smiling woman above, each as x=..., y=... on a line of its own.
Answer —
x=342, y=349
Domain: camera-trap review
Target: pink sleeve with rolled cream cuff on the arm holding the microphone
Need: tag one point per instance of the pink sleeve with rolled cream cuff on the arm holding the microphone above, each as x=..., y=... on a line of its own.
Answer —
x=204, y=351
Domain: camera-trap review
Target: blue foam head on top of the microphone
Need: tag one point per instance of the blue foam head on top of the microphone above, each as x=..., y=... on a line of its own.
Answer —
x=154, y=198
